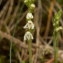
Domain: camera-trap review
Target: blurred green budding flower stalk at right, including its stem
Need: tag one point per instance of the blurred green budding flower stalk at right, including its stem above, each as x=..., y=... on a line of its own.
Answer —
x=56, y=26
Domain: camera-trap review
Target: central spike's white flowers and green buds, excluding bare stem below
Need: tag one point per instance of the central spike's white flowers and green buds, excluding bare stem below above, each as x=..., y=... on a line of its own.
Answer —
x=29, y=25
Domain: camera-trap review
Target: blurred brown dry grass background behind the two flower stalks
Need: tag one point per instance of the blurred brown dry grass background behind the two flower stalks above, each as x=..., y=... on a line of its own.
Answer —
x=13, y=18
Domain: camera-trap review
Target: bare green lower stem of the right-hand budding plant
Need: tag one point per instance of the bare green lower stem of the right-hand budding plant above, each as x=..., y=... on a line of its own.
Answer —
x=55, y=44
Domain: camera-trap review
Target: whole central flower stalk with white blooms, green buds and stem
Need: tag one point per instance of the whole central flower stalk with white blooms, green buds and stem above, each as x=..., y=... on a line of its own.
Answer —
x=29, y=26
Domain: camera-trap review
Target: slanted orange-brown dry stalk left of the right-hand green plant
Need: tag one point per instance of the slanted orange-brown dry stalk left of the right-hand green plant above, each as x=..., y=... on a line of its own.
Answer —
x=49, y=18
